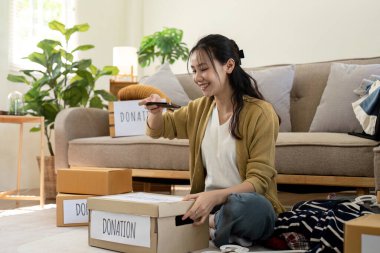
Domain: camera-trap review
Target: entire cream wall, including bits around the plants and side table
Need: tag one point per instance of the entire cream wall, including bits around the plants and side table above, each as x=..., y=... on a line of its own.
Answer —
x=269, y=32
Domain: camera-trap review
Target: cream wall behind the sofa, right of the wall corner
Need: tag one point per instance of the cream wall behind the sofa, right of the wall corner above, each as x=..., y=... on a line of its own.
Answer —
x=275, y=31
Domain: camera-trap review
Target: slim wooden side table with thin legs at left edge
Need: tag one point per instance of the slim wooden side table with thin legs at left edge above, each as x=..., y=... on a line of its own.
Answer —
x=15, y=194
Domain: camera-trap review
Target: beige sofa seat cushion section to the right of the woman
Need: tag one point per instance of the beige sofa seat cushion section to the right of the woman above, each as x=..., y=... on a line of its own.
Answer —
x=316, y=154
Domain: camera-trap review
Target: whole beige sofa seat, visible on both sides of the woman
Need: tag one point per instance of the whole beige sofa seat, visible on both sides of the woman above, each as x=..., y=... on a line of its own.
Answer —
x=296, y=153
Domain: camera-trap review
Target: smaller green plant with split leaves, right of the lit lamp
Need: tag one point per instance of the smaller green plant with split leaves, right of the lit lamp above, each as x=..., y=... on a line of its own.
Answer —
x=166, y=44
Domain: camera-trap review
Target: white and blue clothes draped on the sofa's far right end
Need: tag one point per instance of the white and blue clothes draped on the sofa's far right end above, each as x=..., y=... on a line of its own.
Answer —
x=367, y=107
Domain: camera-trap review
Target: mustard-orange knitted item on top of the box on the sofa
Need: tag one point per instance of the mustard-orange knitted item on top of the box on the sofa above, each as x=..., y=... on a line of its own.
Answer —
x=136, y=91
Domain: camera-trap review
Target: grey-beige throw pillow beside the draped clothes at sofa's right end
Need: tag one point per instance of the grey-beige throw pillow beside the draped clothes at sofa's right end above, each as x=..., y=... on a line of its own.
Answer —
x=334, y=113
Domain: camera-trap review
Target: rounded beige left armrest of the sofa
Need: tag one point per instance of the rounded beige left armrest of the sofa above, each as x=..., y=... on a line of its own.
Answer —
x=73, y=123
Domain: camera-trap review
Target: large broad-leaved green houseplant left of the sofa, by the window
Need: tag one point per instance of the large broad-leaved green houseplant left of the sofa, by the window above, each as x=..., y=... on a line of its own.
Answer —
x=61, y=81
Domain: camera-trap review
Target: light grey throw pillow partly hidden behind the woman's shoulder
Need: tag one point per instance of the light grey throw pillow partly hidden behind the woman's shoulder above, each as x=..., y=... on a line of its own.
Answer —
x=275, y=84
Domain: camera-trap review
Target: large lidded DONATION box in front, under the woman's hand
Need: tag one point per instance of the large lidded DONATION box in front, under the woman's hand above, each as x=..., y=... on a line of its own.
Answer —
x=144, y=223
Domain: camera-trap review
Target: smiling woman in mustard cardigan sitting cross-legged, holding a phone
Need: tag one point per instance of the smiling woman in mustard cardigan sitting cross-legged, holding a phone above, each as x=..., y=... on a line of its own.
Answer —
x=232, y=133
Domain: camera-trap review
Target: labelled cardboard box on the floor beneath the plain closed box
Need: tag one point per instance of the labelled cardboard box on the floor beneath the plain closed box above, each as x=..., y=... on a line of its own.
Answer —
x=72, y=210
